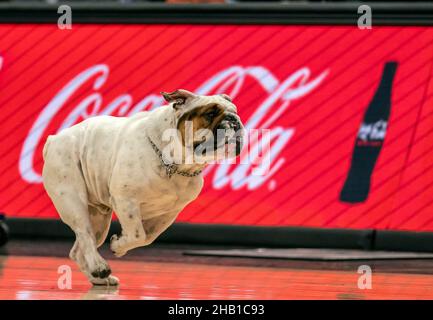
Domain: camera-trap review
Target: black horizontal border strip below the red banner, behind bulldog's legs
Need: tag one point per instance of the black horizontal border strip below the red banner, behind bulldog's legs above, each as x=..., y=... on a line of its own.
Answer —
x=251, y=236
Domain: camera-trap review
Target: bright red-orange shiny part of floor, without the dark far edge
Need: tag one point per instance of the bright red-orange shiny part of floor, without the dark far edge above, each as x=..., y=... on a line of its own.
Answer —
x=37, y=277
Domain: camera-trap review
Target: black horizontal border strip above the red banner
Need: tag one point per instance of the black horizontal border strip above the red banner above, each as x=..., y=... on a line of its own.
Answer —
x=409, y=13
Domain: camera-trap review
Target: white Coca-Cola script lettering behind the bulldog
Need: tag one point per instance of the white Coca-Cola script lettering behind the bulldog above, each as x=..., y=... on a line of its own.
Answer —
x=280, y=95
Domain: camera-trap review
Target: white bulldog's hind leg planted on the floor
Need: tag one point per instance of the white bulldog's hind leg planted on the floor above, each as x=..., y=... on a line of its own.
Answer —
x=64, y=182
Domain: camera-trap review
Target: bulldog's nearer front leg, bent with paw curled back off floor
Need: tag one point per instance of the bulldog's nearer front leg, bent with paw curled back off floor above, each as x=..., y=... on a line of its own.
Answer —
x=129, y=214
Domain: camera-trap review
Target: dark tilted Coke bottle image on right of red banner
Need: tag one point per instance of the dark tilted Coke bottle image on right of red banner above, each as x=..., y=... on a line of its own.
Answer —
x=369, y=140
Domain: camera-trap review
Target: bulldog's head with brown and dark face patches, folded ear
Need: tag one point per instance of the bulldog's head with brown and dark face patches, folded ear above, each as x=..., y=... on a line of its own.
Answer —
x=209, y=125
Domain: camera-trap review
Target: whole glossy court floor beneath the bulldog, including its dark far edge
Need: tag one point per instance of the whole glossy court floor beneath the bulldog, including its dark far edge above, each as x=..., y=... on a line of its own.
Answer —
x=31, y=270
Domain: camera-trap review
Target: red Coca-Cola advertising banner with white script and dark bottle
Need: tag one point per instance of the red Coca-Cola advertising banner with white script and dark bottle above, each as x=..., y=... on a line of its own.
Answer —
x=316, y=88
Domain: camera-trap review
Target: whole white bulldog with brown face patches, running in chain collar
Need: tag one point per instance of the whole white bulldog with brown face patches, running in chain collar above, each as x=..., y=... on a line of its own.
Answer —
x=146, y=168
